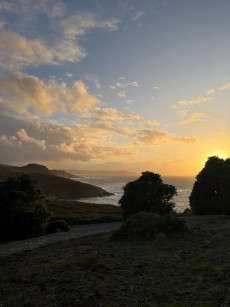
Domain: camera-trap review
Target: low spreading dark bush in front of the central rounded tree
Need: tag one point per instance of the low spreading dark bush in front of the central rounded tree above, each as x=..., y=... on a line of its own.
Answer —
x=144, y=225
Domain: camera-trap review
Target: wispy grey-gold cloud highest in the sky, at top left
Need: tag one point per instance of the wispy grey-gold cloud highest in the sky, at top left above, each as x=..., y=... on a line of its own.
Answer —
x=18, y=51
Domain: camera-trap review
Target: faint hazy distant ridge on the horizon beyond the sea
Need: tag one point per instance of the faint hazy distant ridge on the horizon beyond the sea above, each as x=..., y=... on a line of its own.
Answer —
x=103, y=173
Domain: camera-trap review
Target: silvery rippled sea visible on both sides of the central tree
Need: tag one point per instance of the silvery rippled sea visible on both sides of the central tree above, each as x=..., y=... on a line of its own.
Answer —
x=114, y=185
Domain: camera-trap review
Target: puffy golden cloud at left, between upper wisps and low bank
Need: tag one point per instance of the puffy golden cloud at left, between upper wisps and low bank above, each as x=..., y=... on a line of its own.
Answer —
x=27, y=91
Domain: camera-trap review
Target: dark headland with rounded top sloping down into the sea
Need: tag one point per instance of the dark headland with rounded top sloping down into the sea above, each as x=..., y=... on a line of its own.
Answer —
x=53, y=186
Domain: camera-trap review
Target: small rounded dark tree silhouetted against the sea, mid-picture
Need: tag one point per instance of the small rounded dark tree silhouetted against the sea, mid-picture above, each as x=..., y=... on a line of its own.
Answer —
x=147, y=193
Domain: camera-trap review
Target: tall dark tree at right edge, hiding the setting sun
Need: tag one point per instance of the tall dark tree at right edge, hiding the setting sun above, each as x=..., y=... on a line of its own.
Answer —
x=211, y=190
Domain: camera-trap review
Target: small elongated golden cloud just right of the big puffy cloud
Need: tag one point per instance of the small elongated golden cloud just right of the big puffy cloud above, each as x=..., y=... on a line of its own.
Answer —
x=113, y=114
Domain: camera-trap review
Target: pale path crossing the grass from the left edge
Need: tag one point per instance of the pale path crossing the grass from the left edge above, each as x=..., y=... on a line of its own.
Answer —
x=77, y=231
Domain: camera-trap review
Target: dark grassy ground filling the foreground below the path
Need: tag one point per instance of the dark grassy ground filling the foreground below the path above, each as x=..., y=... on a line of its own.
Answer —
x=182, y=270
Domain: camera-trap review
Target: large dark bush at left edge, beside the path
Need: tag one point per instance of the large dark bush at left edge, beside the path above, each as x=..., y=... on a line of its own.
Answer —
x=19, y=214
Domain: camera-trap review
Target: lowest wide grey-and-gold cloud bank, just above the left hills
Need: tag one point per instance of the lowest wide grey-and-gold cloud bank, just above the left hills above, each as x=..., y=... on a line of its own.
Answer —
x=49, y=142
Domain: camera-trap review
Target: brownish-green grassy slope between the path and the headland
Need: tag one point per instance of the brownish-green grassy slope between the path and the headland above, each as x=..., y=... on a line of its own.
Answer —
x=75, y=212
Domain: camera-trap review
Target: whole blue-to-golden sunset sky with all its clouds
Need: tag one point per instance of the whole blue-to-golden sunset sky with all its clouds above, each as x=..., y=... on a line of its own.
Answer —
x=115, y=84
